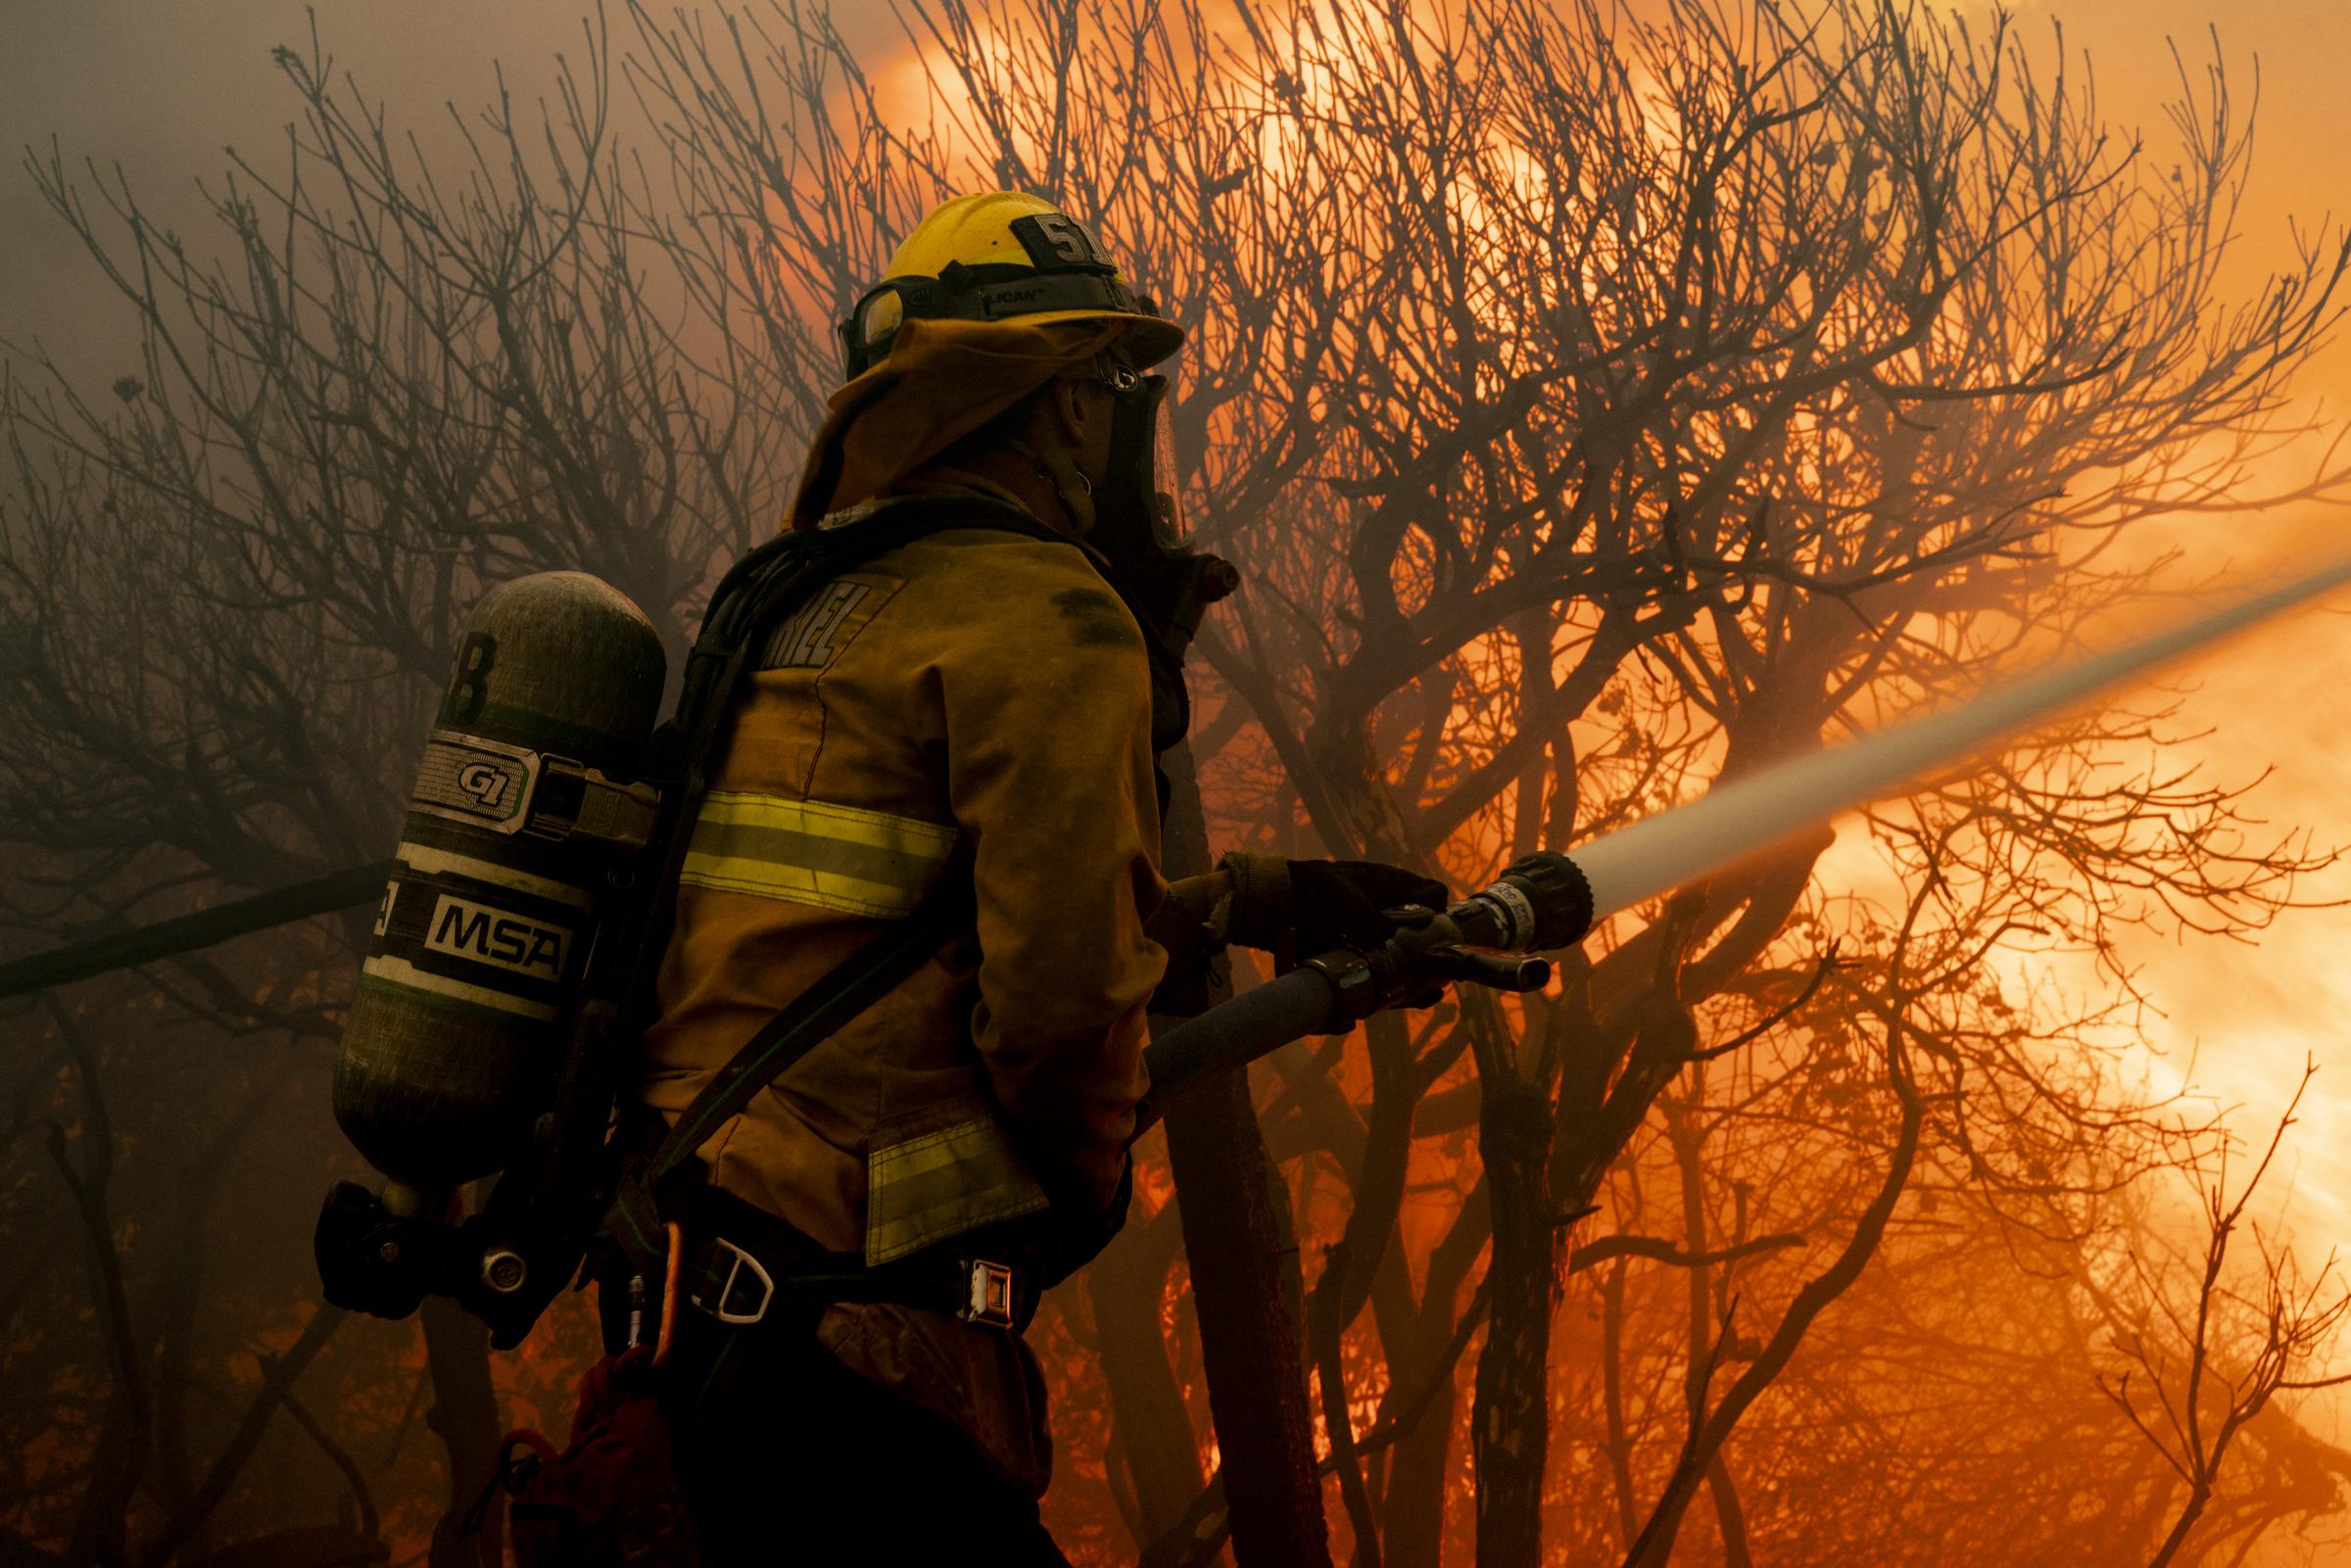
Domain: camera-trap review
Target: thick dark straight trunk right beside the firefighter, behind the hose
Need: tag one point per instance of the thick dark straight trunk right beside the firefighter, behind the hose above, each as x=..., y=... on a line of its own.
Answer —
x=1250, y=1334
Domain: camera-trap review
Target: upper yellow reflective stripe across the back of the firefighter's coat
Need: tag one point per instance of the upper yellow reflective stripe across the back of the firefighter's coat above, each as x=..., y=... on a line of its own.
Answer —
x=815, y=852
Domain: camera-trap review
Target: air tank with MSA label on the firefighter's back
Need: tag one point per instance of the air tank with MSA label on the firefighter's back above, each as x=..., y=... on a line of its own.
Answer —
x=525, y=805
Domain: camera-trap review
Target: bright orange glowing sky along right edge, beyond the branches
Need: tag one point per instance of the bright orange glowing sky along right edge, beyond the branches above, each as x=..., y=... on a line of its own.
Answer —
x=2239, y=1019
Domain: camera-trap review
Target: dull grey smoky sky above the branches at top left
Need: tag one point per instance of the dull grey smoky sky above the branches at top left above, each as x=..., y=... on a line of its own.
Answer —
x=159, y=88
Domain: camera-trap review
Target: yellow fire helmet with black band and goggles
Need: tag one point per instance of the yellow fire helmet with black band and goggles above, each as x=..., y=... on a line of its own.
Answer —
x=998, y=257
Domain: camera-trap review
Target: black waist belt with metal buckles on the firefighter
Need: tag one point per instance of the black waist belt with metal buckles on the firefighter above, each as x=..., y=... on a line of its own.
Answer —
x=742, y=1264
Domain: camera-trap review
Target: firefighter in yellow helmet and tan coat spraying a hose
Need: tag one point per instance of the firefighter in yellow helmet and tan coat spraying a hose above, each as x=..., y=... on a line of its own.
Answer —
x=977, y=704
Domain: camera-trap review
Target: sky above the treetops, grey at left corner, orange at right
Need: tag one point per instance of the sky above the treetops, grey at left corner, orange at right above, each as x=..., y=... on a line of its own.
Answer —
x=163, y=86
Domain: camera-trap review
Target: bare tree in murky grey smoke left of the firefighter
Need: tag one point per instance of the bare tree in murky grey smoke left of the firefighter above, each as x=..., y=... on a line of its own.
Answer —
x=232, y=589
